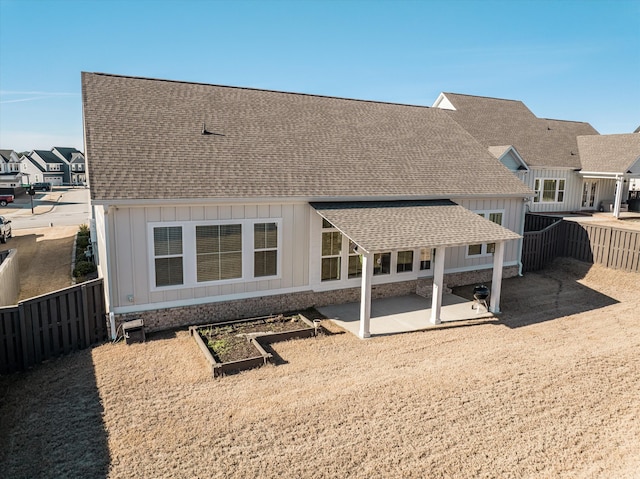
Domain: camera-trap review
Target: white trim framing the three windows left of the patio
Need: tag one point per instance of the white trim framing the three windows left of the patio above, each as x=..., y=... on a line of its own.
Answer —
x=189, y=269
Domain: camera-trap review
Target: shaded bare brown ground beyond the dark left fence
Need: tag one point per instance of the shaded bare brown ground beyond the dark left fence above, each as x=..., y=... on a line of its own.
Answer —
x=44, y=258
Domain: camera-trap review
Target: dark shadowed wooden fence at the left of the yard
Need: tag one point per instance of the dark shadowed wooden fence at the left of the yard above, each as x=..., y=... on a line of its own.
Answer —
x=51, y=325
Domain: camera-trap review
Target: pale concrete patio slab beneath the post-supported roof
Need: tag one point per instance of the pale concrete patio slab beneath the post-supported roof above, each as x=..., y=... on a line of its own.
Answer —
x=403, y=314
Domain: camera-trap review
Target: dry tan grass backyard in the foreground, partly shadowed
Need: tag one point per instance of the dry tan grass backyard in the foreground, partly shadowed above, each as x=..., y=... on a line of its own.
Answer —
x=550, y=390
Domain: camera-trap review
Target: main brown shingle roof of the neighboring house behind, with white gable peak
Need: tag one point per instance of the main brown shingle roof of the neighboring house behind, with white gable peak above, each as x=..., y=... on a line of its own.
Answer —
x=539, y=141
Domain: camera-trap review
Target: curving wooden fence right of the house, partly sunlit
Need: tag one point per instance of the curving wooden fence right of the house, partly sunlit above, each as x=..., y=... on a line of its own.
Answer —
x=611, y=247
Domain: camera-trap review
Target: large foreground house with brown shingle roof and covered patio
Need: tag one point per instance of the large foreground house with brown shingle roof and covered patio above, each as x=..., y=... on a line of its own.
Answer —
x=288, y=201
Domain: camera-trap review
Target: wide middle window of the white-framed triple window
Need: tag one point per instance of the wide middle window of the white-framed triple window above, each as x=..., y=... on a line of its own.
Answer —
x=218, y=252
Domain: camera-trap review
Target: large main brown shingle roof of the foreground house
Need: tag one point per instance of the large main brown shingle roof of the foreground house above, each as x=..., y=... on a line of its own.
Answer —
x=274, y=144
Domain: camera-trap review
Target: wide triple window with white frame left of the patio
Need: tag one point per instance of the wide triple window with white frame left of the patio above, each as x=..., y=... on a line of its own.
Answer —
x=197, y=253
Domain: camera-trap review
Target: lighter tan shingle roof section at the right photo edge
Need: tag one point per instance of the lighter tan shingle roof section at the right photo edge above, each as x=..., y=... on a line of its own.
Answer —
x=609, y=153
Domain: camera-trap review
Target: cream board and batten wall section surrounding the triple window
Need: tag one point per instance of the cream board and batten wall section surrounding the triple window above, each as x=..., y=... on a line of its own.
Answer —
x=130, y=268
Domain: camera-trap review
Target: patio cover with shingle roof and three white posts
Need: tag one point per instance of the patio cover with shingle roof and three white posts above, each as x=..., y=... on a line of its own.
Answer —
x=377, y=227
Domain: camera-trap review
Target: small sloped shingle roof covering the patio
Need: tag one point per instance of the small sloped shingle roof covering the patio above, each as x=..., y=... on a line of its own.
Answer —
x=384, y=226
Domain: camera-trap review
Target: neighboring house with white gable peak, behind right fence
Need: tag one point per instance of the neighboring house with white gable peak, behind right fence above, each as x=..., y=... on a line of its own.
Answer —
x=546, y=154
